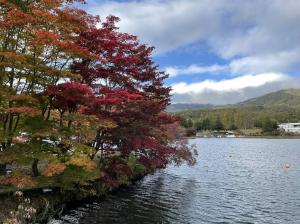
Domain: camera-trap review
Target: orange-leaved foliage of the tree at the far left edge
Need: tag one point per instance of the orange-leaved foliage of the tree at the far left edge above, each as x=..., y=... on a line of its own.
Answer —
x=37, y=44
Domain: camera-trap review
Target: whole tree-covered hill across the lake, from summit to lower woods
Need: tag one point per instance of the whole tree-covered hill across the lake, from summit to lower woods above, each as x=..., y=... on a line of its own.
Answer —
x=279, y=107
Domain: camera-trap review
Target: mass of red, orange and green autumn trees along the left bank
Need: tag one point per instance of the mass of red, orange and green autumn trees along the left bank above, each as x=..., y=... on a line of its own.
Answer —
x=79, y=100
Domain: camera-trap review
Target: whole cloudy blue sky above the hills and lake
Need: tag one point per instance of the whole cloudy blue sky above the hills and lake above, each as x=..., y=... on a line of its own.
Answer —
x=215, y=51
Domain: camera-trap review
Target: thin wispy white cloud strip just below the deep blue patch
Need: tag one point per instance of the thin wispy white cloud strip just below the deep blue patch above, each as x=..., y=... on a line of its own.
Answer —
x=194, y=69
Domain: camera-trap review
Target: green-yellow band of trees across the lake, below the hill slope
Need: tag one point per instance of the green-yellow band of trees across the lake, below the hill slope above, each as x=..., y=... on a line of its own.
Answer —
x=265, y=118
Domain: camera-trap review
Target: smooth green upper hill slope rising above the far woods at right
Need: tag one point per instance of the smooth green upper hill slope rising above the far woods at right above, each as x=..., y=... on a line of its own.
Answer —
x=282, y=98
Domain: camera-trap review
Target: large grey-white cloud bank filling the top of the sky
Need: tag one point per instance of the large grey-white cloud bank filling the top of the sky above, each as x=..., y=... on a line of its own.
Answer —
x=259, y=36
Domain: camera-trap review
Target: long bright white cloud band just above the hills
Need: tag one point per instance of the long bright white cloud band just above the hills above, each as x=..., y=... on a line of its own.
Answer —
x=228, y=85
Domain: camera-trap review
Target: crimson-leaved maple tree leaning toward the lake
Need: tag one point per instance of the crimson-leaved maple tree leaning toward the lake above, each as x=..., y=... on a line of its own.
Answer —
x=130, y=74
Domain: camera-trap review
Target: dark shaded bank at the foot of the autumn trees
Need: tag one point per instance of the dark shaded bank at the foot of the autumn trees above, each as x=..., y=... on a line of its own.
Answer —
x=52, y=204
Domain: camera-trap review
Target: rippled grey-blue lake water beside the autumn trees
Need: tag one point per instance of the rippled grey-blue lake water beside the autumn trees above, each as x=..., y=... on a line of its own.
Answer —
x=234, y=181
